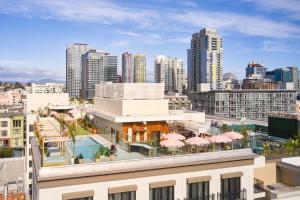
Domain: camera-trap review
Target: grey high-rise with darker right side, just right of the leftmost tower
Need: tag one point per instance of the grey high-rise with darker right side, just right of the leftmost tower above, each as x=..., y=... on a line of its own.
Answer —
x=97, y=67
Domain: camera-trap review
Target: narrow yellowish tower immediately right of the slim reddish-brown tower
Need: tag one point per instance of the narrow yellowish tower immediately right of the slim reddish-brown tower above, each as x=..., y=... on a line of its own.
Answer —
x=139, y=68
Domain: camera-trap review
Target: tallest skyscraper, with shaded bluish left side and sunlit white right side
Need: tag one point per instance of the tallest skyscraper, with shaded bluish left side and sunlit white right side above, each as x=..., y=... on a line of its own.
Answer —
x=205, y=59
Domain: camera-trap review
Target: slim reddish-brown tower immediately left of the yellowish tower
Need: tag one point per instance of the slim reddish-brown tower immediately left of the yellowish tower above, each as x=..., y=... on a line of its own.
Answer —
x=127, y=68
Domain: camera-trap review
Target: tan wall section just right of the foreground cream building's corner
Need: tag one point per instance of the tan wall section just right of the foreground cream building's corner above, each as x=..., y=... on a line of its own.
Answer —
x=267, y=174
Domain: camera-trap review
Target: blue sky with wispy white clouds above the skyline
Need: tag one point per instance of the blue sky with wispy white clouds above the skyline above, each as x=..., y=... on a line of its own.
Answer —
x=34, y=34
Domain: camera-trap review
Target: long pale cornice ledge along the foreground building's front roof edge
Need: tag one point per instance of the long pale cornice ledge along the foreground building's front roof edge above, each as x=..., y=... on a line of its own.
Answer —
x=134, y=165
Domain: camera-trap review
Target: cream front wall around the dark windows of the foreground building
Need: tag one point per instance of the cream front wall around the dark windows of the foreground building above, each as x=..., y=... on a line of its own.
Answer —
x=101, y=188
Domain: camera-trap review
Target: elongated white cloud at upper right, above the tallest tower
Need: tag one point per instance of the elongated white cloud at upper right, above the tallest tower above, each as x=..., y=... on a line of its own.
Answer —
x=249, y=25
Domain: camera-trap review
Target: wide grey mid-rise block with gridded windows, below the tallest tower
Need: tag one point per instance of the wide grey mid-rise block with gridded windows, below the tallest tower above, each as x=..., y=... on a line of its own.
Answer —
x=238, y=104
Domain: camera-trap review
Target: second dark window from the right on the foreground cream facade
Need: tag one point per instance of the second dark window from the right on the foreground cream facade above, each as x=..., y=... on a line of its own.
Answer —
x=199, y=191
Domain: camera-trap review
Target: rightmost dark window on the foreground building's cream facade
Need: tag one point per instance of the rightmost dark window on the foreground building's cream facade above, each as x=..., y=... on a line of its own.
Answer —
x=231, y=188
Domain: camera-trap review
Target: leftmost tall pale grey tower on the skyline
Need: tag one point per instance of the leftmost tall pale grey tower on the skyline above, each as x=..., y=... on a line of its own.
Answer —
x=74, y=53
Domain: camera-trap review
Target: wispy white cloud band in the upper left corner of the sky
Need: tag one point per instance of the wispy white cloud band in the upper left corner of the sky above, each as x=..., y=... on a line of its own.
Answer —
x=75, y=10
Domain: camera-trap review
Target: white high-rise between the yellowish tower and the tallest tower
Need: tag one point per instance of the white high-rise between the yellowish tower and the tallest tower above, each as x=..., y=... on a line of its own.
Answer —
x=169, y=71
